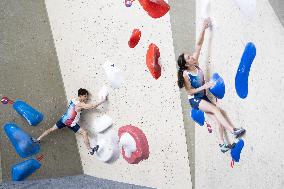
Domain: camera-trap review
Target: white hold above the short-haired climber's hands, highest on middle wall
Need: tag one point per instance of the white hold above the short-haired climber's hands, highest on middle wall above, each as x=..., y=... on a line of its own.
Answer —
x=113, y=74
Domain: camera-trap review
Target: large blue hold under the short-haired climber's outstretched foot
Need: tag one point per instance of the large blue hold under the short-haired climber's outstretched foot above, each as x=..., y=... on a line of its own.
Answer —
x=21, y=141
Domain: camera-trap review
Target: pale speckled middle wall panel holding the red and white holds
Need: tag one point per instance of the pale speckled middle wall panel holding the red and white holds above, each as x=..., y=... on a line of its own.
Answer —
x=86, y=34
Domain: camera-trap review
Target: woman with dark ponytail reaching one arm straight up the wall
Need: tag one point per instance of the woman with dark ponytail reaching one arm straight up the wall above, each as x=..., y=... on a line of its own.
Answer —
x=191, y=77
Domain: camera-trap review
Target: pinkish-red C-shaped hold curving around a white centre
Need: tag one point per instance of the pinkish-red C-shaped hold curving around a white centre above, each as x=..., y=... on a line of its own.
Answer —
x=142, y=147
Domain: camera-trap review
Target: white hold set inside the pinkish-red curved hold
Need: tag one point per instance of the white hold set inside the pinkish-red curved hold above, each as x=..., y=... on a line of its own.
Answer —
x=128, y=143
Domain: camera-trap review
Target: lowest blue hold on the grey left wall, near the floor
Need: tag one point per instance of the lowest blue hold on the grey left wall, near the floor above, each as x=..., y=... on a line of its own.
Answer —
x=24, y=169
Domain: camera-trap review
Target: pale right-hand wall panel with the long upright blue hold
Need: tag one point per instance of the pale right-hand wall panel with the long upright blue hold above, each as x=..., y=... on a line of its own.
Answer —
x=261, y=164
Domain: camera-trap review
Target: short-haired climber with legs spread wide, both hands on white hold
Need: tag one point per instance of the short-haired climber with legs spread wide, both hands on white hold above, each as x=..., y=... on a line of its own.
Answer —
x=71, y=118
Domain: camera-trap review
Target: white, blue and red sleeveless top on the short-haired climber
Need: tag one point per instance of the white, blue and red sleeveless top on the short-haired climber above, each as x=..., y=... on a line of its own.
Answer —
x=71, y=116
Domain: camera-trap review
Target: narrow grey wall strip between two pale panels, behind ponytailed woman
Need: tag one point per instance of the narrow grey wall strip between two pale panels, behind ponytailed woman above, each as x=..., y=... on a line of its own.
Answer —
x=182, y=16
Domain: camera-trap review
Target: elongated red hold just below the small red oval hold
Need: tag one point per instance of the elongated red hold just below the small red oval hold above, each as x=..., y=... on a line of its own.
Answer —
x=152, y=58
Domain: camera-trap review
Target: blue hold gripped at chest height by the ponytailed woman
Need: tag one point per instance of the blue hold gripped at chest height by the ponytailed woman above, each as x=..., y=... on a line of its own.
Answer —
x=218, y=90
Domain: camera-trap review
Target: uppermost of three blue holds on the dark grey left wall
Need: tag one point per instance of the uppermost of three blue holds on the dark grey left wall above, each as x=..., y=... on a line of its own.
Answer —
x=32, y=116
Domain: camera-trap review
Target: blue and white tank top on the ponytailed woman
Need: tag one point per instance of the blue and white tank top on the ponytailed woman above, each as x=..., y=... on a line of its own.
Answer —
x=196, y=80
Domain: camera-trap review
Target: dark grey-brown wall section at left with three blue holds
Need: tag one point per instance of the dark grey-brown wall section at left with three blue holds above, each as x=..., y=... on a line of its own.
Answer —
x=29, y=71
